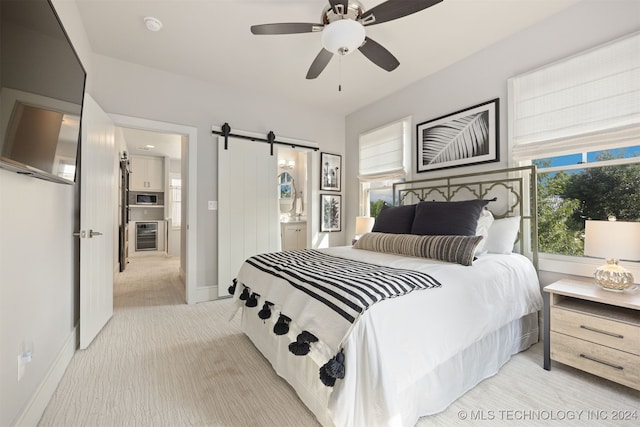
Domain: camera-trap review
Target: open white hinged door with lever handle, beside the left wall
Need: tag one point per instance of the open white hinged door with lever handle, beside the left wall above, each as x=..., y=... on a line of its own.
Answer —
x=98, y=186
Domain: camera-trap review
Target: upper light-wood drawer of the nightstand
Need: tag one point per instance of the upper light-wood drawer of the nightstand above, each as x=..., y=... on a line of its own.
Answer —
x=618, y=335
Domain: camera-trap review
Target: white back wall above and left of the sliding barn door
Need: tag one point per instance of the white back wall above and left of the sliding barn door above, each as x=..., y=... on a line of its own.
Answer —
x=133, y=90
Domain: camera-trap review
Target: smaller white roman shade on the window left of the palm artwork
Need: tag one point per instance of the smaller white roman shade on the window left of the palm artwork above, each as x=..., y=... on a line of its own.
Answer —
x=382, y=155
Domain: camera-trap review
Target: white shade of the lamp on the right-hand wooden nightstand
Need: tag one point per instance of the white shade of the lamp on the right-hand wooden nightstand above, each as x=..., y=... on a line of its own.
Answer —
x=612, y=239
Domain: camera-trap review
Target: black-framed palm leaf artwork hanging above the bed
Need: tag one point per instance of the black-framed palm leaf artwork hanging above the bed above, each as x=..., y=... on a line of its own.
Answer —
x=463, y=138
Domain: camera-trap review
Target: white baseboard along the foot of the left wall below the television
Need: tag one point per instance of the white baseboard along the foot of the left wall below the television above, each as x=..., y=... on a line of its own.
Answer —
x=40, y=399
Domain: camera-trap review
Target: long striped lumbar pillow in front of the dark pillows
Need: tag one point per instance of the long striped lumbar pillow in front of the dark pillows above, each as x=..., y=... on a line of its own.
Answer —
x=459, y=249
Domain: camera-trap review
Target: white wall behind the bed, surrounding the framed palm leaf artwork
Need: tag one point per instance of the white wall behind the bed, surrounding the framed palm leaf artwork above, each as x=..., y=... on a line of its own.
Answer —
x=483, y=76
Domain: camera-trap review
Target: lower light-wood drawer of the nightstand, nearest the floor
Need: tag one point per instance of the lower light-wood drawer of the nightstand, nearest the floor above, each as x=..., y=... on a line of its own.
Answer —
x=618, y=366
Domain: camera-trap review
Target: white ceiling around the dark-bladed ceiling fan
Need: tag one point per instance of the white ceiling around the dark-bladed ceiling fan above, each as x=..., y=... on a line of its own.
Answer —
x=210, y=40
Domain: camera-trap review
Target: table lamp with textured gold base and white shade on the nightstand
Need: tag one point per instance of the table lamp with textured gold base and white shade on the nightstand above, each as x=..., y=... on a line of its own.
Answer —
x=613, y=240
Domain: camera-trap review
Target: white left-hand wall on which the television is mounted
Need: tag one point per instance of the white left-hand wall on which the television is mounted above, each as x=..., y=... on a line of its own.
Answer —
x=38, y=262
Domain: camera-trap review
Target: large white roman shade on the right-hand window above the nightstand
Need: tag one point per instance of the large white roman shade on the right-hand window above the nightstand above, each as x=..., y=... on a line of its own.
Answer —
x=588, y=100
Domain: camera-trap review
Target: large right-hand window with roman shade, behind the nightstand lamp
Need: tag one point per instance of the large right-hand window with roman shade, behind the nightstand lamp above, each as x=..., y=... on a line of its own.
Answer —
x=578, y=120
